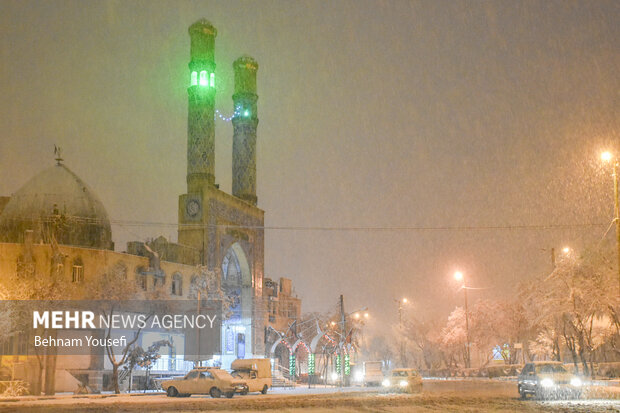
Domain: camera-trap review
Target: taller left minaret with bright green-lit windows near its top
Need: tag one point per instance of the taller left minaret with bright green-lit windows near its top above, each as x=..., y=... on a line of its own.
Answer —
x=200, y=117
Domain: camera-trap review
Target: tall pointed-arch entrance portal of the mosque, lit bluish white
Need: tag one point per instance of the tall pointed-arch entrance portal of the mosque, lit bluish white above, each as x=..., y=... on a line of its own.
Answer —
x=237, y=284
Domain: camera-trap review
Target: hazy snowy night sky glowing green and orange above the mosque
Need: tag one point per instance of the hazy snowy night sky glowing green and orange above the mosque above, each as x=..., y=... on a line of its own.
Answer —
x=451, y=115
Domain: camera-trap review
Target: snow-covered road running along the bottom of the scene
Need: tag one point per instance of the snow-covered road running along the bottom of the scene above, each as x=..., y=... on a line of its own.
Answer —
x=438, y=396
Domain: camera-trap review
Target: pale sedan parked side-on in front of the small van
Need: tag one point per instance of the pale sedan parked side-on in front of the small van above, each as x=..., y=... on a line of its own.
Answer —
x=205, y=380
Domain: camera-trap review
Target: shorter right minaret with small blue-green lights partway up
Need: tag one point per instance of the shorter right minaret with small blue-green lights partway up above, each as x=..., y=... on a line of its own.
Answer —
x=245, y=121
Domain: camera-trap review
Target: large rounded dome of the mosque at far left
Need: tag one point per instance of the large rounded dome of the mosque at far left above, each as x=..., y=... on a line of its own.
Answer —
x=56, y=203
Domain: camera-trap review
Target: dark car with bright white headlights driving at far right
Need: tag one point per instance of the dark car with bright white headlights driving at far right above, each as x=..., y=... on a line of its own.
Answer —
x=548, y=379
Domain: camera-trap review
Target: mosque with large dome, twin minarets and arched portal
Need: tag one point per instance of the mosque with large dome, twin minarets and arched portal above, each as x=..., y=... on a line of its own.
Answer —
x=56, y=225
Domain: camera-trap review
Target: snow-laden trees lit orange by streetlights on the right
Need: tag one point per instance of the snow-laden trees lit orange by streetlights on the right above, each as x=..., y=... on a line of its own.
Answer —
x=570, y=315
